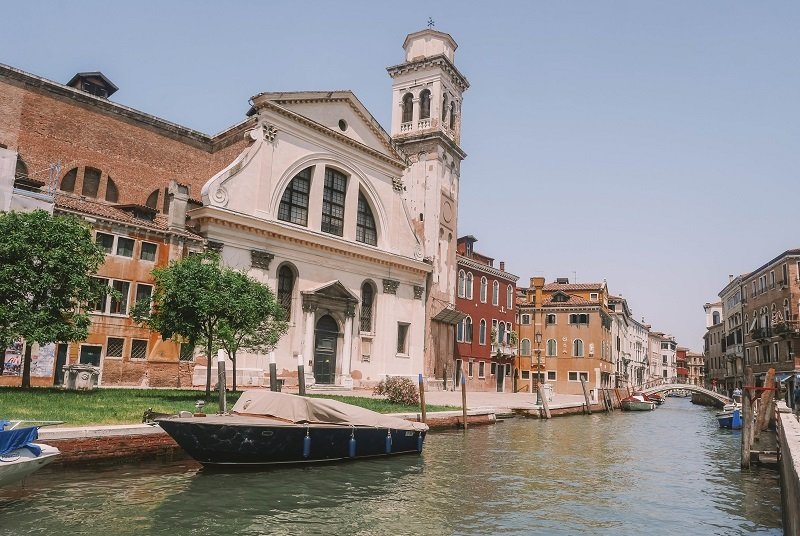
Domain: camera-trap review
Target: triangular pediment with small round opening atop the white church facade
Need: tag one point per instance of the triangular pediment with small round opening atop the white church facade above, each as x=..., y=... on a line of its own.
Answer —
x=339, y=112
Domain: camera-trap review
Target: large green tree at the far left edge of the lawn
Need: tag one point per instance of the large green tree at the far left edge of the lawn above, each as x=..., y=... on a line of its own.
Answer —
x=46, y=264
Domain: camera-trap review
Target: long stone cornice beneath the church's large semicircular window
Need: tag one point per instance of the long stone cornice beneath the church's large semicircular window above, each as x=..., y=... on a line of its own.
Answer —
x=305, y=238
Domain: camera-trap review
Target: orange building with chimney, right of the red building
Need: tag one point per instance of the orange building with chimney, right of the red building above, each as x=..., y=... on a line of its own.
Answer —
x=568, y=329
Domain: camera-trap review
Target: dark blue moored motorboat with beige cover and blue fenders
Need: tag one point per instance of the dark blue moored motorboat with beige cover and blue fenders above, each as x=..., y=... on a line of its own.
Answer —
x=266, y=427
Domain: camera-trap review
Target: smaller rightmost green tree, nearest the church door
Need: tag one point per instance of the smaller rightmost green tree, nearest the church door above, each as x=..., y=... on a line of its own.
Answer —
x=257, y=321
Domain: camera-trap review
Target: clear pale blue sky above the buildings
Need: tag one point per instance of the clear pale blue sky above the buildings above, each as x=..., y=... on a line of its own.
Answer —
x=653, y=145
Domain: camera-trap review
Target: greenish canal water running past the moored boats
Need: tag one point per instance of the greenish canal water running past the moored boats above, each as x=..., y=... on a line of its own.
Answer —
x=671, y=471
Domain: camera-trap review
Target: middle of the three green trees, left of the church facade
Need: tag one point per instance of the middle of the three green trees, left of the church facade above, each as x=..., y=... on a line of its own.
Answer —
x=189, y=300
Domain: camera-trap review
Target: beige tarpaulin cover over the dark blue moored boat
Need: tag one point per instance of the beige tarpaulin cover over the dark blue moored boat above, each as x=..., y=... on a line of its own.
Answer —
x=301, y=410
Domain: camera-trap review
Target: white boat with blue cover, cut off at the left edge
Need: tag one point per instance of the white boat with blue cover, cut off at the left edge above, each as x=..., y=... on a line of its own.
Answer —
x=20, y=455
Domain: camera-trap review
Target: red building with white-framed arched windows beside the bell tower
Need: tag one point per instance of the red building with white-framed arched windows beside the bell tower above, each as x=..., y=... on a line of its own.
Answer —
x=486, y=342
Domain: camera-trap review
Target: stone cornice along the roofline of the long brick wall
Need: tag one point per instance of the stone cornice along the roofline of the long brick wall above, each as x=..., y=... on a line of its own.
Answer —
x=107, y=107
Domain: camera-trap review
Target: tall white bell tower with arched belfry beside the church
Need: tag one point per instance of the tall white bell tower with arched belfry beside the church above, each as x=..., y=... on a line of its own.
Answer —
x=427, y=91
